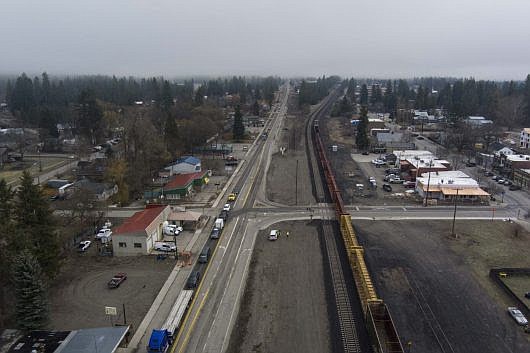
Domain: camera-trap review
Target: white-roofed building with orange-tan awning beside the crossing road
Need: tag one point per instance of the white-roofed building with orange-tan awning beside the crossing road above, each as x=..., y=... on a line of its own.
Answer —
x=445, y=185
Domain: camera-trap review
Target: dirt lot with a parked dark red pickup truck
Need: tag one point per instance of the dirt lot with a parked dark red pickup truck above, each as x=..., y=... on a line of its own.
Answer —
x=79, y=297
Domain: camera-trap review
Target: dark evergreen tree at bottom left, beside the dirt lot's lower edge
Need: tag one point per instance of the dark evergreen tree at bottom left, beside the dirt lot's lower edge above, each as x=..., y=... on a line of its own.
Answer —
x=30, y=292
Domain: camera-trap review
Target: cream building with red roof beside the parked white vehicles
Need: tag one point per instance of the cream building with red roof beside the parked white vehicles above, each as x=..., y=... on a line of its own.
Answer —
x=138, y=234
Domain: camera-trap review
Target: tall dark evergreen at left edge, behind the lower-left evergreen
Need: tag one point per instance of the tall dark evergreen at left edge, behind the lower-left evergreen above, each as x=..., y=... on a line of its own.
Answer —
x=35, y=221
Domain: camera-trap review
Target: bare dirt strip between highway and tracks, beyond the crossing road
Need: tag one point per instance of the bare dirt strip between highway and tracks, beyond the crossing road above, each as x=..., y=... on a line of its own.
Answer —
x=281, y=179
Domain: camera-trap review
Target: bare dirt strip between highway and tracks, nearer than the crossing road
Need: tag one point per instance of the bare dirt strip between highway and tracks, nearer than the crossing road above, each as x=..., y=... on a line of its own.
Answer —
x=284, y=306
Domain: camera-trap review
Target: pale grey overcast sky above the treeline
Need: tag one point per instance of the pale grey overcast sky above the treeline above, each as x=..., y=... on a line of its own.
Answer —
x=385, y=38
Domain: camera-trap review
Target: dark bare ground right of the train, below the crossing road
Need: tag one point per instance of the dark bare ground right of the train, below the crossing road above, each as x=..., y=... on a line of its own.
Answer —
x=436, y=284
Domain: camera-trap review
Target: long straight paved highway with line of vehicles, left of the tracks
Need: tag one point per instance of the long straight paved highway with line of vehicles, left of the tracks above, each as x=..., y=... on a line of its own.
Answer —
x=211, y=318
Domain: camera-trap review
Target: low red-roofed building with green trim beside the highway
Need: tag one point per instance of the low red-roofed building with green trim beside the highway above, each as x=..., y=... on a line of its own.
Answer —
x=179, y=187
